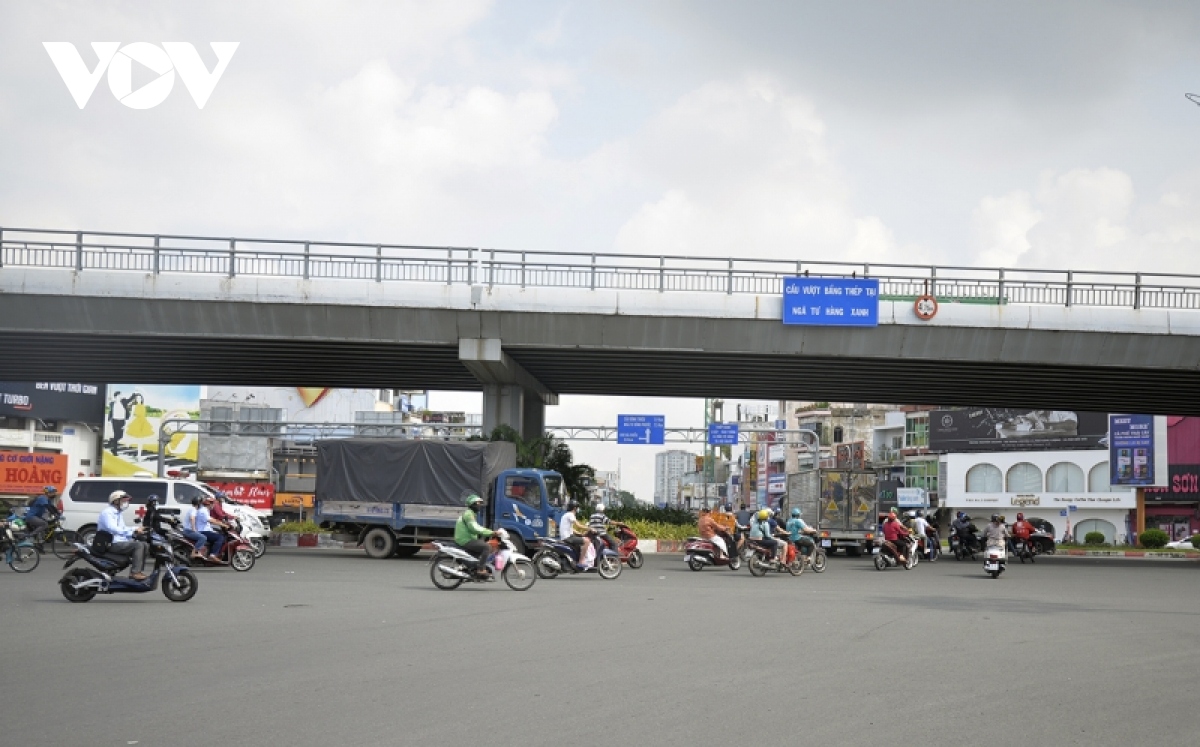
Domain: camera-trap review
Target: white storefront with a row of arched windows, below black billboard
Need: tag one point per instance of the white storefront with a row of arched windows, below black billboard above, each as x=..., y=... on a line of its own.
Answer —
x=1069, y=489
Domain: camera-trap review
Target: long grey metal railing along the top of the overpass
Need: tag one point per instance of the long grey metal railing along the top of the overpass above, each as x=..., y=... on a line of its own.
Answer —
x=83, y=252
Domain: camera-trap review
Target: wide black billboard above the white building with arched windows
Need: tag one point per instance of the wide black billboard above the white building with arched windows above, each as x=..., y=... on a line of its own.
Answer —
x=1007, y=429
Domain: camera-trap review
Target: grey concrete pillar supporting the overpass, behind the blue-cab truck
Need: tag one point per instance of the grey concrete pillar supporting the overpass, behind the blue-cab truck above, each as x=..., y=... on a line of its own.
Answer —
x=512, y=396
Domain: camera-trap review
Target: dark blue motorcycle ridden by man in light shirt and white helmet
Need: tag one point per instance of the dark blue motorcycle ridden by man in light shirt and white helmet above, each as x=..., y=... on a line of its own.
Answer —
x=83, y=584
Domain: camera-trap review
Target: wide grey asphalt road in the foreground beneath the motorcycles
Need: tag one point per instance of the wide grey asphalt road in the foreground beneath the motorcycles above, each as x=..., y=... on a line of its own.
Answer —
x=327, y=648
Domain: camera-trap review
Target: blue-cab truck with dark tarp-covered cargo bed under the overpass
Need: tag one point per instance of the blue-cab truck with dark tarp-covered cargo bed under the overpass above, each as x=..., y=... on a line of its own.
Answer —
x=397, y=494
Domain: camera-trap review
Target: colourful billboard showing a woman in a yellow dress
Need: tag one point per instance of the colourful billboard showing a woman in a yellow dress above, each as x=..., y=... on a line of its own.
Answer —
x=134, y=415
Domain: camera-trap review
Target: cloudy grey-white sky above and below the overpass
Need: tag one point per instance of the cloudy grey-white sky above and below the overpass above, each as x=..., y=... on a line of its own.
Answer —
x=1031, y=135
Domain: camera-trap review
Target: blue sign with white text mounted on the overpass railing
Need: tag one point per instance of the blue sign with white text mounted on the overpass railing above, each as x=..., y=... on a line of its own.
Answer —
x=842, y=302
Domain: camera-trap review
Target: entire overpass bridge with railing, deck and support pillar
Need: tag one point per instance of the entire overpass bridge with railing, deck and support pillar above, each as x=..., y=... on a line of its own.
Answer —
x=526, y=327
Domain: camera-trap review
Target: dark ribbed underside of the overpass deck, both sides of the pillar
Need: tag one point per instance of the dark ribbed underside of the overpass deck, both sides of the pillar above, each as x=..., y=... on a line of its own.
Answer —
x=583, y=370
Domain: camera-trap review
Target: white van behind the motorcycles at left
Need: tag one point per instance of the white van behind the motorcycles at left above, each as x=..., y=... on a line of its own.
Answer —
x=88, y=497
